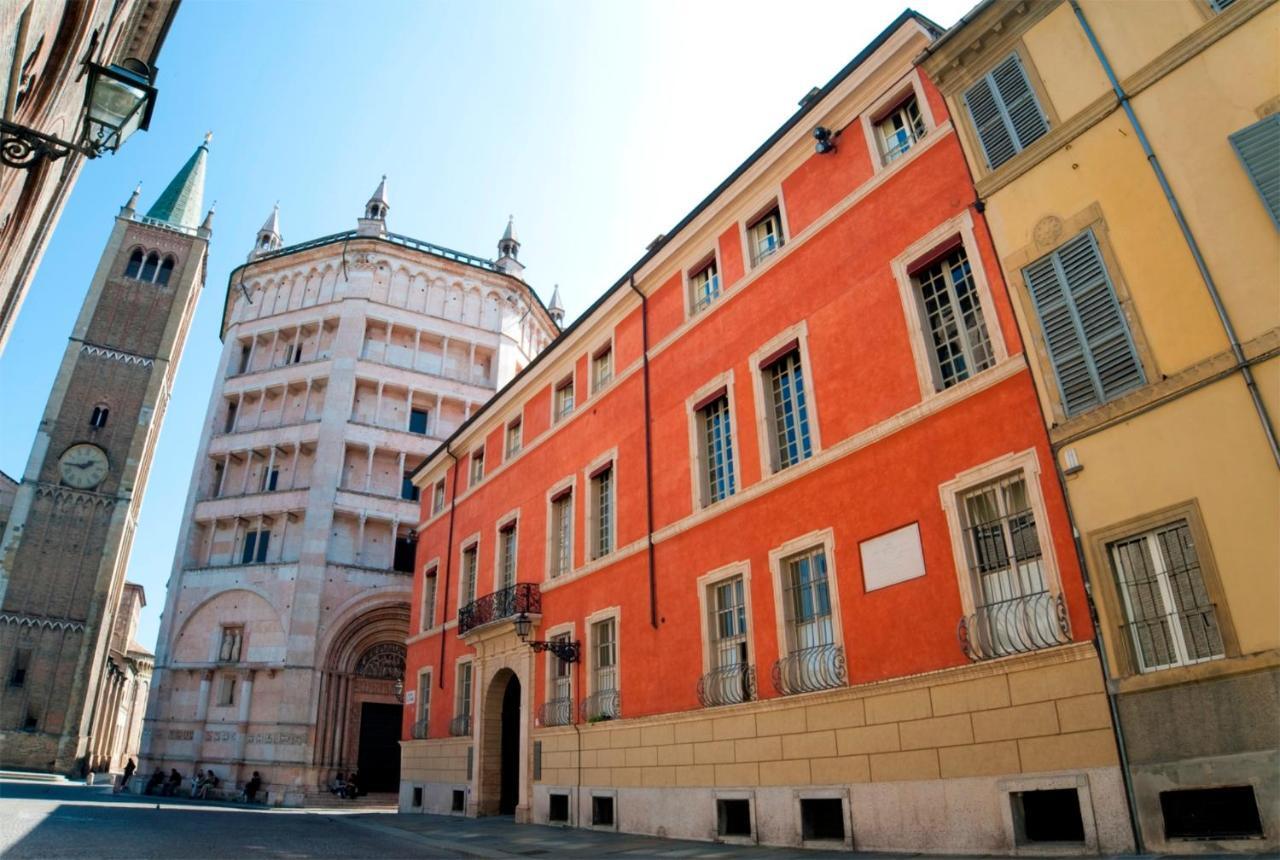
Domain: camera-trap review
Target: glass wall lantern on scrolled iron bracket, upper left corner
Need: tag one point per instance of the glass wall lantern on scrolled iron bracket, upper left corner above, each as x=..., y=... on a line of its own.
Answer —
x=118, y=102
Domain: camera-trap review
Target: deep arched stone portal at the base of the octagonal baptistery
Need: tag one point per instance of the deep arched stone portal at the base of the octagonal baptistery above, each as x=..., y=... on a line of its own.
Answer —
x=359, y=721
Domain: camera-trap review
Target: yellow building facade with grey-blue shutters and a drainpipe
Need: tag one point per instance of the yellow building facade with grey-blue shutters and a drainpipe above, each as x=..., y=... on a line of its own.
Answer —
x=1128, y=158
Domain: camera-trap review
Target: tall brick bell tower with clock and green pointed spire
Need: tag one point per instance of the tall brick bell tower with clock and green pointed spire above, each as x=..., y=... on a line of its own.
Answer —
x=66, y=550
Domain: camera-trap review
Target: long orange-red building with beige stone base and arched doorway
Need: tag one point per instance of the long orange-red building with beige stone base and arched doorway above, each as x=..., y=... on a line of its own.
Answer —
x=787, y=495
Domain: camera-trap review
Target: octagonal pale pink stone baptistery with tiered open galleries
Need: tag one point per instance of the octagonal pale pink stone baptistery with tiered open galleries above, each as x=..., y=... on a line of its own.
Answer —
x=346, y=360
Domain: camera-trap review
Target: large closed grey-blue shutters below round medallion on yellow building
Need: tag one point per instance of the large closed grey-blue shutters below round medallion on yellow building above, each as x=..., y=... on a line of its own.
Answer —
x=1086, y=333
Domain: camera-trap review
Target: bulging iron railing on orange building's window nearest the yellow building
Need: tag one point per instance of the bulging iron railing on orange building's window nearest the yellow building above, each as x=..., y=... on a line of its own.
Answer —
x=1014, y=626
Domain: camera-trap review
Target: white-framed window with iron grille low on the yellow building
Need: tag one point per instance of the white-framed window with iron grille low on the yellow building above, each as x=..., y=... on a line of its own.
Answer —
x=1171, y=617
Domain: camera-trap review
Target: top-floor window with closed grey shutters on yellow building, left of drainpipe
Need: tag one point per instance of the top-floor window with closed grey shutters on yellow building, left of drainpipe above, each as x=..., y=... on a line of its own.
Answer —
x=1005, y=112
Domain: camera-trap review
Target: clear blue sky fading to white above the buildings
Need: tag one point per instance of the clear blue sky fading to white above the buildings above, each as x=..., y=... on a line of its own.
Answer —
x=598, y=125
